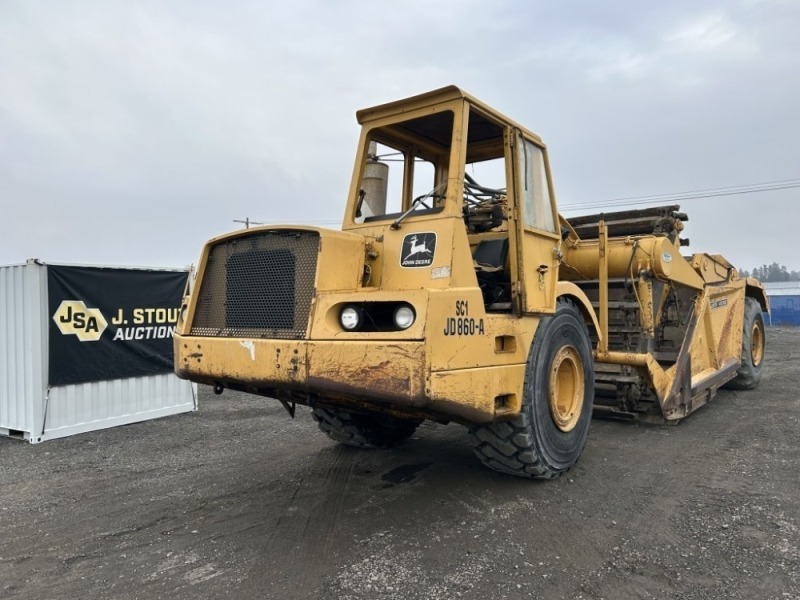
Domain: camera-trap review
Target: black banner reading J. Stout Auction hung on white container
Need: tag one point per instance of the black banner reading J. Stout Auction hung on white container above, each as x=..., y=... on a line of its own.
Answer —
x=109, y=323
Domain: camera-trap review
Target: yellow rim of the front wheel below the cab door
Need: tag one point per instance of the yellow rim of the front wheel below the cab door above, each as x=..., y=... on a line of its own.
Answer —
x=566, y=388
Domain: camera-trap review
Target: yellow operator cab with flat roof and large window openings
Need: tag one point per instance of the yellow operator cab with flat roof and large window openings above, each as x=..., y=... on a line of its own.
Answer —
x=444, y=155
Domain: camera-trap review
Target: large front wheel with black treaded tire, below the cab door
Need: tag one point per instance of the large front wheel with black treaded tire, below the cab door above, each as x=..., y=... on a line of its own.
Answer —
x=548, y=435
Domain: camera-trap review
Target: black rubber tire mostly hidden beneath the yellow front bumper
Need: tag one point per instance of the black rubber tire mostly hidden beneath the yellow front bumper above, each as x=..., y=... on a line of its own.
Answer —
x=363, y=430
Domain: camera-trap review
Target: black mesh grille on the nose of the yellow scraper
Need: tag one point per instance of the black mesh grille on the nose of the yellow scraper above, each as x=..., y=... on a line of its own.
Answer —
x=258, y=286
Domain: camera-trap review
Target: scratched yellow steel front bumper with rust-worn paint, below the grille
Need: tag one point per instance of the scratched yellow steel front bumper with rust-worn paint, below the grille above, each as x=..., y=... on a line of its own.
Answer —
x=391, y=376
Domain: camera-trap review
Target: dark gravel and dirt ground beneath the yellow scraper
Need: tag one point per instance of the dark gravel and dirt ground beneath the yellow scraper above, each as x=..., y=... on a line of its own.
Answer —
x=239, y=499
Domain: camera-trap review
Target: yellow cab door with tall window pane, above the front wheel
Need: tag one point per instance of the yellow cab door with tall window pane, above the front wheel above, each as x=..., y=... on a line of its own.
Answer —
x=535, y=236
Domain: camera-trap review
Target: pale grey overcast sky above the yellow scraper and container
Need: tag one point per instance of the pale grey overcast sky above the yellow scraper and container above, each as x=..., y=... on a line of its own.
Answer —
x=132, y=131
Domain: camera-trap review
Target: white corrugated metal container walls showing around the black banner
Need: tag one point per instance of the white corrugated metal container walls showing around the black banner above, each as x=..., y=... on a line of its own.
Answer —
x=30, y=408
